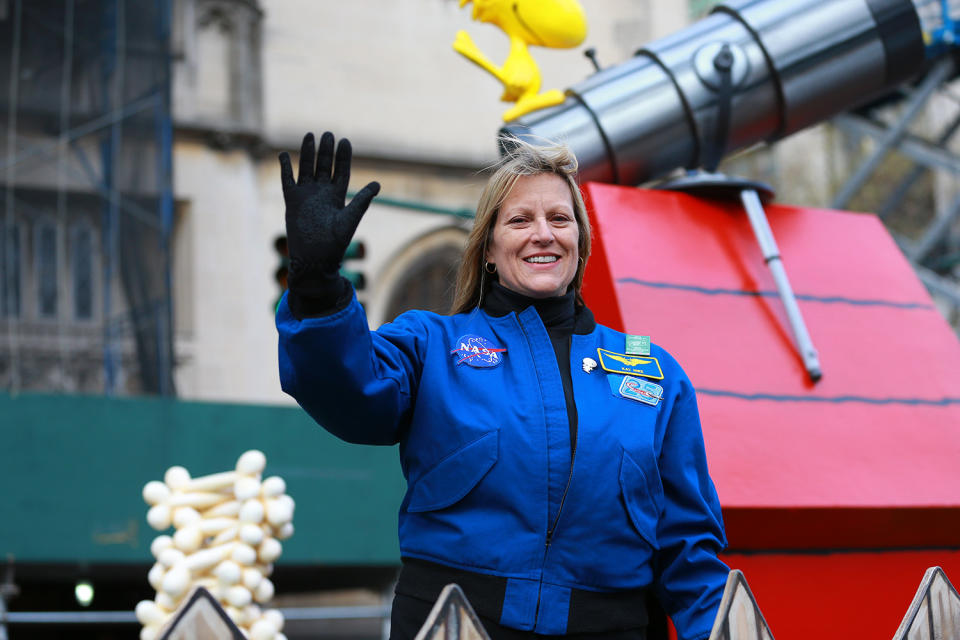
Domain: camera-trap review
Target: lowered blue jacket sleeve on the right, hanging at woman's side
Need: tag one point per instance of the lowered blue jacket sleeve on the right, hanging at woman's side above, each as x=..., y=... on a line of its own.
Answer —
x=690, y=578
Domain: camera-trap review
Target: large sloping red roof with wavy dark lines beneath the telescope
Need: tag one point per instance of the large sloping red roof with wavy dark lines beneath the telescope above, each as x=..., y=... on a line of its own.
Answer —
x=880, y=432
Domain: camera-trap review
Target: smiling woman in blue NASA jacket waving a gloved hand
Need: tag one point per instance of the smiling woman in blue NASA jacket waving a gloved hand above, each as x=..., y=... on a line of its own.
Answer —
x=555, y=492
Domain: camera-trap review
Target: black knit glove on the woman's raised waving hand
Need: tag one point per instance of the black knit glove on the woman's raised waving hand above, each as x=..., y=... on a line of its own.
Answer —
x=320, y=225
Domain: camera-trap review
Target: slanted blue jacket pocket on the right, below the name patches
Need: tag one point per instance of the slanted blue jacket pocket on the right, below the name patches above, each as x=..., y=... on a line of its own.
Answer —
x=642, y=492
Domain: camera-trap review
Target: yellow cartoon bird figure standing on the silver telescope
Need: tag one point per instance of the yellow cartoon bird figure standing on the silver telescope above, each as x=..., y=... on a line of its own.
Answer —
x=559, y=24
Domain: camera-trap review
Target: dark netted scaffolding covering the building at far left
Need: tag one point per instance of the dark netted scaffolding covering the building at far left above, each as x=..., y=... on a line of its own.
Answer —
x=86, y=137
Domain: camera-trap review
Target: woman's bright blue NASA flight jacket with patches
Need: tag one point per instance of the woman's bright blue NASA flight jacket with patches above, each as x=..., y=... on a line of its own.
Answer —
x=486, y=454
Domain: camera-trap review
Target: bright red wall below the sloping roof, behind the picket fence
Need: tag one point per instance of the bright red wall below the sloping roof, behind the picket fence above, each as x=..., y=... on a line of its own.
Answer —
x=839, y=595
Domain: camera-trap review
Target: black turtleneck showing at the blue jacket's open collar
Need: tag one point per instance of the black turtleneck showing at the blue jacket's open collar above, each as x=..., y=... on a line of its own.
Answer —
x=562, y=318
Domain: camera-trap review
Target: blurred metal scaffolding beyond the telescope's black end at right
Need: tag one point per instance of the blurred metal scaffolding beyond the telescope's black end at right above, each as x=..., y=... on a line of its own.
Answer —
x=910, y=176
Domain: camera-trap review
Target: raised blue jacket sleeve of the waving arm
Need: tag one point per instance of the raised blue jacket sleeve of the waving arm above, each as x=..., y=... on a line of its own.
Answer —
x=358, y=384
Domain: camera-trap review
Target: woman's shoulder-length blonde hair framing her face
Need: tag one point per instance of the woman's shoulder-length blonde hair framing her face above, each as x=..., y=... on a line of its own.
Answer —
x=520, y=158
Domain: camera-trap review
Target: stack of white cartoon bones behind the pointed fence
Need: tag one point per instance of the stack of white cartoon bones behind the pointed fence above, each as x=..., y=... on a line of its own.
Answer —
x=228, y=527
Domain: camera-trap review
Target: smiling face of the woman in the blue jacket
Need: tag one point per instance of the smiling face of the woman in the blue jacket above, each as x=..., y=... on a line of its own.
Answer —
x=535, y=236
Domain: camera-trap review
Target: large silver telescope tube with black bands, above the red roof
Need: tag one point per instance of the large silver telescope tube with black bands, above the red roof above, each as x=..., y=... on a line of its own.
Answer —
x=795, y=63
